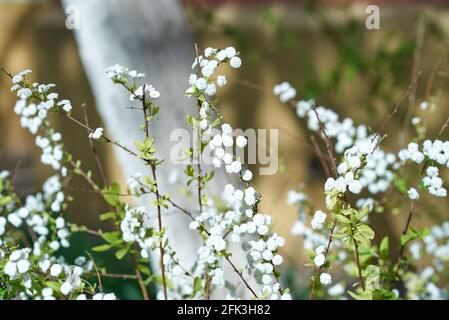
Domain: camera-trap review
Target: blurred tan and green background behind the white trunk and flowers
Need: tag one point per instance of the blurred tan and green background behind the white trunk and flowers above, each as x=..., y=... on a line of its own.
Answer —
x=322, y=47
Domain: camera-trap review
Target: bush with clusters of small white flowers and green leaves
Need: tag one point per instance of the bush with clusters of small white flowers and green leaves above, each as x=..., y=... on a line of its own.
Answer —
x=347, y=259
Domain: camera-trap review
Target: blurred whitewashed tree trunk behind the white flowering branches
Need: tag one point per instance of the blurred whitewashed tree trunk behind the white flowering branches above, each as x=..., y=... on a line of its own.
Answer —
x=153, y=37
